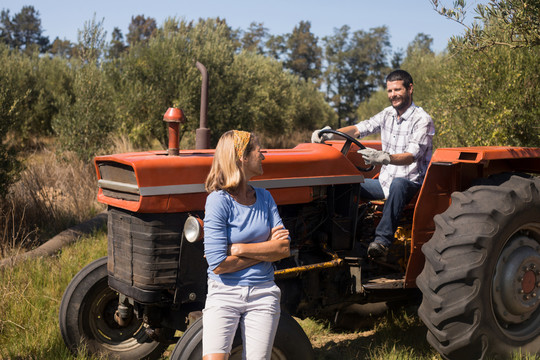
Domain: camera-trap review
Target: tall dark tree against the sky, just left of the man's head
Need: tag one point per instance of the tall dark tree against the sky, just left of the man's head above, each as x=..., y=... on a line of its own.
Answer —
x=356, y=67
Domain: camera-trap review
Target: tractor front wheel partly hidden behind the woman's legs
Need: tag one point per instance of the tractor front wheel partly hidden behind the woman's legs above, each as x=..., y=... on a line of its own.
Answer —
x=291, y=343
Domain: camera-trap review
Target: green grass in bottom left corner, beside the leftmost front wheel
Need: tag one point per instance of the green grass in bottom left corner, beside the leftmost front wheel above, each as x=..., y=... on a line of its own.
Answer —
x=30, y=295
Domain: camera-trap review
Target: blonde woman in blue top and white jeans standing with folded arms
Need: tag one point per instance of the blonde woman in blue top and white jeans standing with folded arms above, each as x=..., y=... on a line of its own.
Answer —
x=243, y=235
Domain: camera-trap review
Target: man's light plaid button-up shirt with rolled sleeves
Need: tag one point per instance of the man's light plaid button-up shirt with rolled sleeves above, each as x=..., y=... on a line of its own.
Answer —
x=411, y=133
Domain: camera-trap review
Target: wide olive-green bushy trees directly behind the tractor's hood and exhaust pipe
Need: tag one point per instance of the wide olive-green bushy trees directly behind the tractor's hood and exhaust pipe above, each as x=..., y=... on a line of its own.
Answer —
x=247, y=90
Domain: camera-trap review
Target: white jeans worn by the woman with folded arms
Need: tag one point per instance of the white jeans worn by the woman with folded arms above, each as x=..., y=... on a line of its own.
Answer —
x=255, y=308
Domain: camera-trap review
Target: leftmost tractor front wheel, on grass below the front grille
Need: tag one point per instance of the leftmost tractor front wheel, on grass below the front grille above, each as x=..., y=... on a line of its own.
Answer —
x=86, y=319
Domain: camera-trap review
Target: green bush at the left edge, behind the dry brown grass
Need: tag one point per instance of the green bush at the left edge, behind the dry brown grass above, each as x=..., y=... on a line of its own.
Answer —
x=29, y=99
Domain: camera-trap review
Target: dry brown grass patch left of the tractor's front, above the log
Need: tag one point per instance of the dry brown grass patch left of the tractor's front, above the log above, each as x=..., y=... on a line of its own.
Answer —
x=52, y=194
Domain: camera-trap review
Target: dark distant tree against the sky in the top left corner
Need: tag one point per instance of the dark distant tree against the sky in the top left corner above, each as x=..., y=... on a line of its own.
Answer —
x=23, y=30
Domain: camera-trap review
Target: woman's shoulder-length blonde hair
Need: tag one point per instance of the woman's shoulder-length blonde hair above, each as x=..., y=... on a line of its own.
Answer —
x=226, y=173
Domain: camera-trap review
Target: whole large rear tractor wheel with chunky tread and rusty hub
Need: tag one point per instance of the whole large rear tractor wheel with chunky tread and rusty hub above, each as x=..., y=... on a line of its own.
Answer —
x=481, y=279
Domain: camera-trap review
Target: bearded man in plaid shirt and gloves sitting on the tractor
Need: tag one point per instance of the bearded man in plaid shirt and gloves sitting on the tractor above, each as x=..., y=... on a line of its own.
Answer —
x=406, y=136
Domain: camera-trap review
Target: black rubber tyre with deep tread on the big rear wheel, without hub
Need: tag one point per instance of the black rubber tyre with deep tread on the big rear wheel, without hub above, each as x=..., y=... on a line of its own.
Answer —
x=459, y=264
